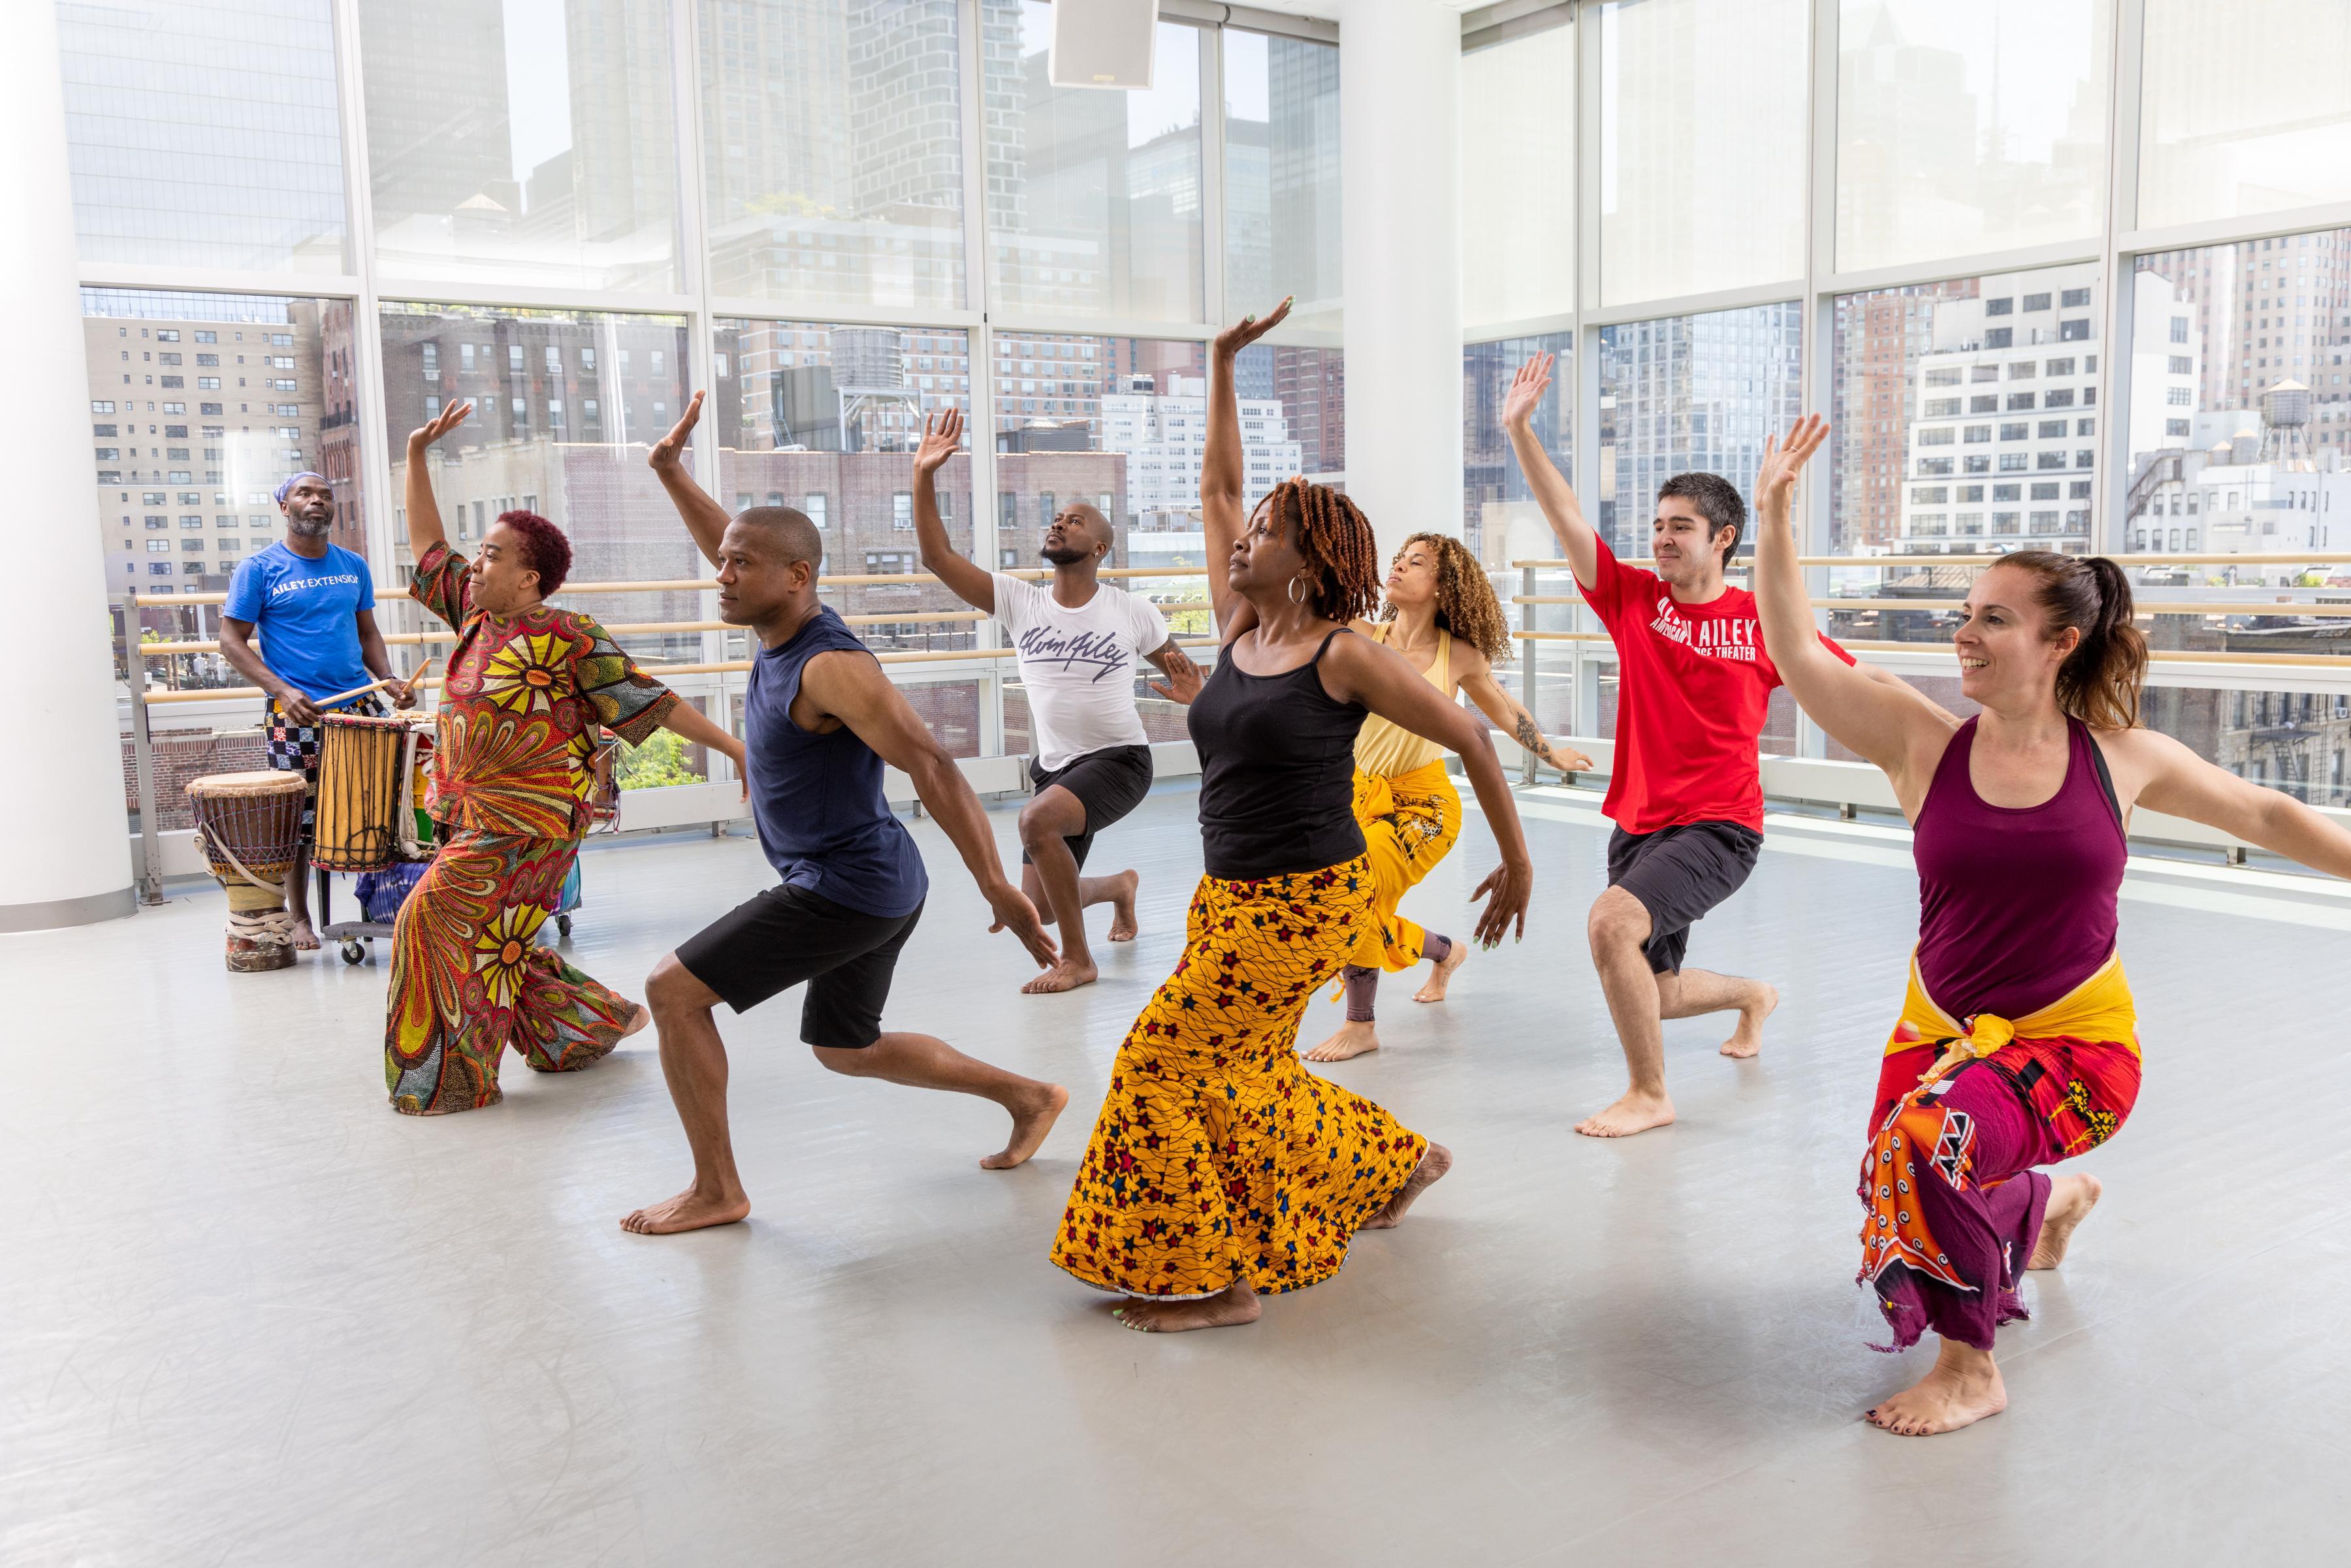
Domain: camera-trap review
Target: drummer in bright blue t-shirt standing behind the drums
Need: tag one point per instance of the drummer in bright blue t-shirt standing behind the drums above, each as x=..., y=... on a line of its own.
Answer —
x=314, y=608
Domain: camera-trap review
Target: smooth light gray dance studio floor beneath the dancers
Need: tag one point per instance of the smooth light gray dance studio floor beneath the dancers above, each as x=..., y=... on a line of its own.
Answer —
x=248, y=1315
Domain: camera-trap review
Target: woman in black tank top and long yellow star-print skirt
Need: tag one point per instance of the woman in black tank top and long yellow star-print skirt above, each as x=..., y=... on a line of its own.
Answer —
x=1221, y=1167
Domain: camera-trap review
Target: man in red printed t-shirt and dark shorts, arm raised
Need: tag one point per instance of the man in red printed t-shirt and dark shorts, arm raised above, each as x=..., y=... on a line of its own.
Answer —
x=1684, y=789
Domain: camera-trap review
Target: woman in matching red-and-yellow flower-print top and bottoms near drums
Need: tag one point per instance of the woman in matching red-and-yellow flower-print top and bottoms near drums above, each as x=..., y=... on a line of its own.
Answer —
x=528, y=692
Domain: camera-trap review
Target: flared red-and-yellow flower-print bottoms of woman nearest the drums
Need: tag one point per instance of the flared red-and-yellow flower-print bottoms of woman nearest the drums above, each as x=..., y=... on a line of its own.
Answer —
x=469, y=979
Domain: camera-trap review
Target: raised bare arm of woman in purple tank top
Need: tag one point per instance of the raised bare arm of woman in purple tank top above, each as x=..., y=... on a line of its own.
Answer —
x=1884, y=725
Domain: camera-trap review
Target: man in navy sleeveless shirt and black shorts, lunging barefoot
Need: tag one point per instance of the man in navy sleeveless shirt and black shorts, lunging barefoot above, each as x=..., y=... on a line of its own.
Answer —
x=819, y=723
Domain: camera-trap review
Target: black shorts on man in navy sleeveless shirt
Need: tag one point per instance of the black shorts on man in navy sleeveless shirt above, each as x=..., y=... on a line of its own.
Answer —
x=789, y=934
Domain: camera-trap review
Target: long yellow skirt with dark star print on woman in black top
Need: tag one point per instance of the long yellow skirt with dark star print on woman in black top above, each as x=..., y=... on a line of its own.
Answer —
x=1219, y=1155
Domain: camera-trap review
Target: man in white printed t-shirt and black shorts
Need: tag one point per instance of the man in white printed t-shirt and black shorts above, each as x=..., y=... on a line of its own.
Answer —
x=1078, y=643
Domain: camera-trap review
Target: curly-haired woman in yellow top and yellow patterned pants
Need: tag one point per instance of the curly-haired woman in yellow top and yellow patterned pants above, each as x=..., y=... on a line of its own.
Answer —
x=1449, y=626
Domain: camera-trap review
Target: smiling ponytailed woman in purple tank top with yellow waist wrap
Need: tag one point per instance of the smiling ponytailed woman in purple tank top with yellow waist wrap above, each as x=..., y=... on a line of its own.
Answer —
x=2018, y=1040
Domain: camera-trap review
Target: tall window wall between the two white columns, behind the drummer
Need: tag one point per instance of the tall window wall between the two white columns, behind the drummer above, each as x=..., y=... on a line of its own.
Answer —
x=307, y=227
